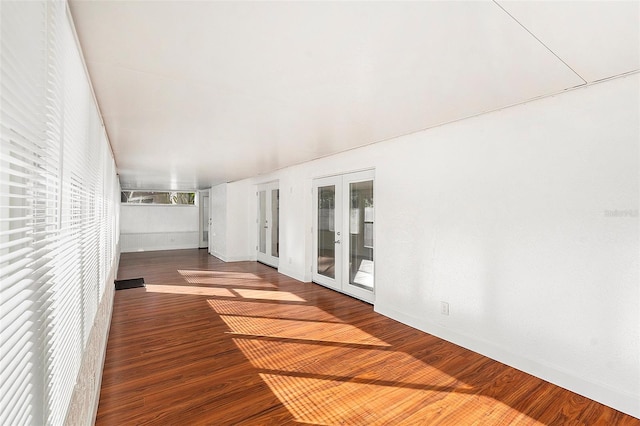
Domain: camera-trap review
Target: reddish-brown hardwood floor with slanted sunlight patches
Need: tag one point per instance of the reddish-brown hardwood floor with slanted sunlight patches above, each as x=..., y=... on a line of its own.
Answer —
x=216, y=343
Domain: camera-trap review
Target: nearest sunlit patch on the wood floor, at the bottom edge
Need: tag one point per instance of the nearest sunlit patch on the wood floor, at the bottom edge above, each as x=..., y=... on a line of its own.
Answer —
x=328, y=402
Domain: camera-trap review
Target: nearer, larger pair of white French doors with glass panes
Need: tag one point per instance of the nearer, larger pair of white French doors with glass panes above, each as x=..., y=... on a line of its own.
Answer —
x=343, y=257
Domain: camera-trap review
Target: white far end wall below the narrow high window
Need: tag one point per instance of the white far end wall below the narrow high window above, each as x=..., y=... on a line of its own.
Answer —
x=158, y=227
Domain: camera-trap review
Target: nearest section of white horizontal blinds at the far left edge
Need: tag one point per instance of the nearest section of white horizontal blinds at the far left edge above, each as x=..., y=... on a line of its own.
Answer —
x=24, y=254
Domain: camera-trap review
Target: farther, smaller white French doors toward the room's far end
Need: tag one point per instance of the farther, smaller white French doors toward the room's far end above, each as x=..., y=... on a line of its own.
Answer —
x=268, y=247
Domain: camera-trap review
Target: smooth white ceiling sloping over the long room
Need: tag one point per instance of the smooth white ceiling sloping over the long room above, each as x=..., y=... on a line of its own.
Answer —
x=195, y=93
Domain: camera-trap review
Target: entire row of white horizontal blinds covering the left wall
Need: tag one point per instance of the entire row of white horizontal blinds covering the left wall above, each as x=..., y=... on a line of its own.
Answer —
x=59, y=197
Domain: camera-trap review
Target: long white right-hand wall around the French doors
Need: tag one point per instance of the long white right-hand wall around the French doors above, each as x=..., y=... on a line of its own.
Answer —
x=524, y=220
